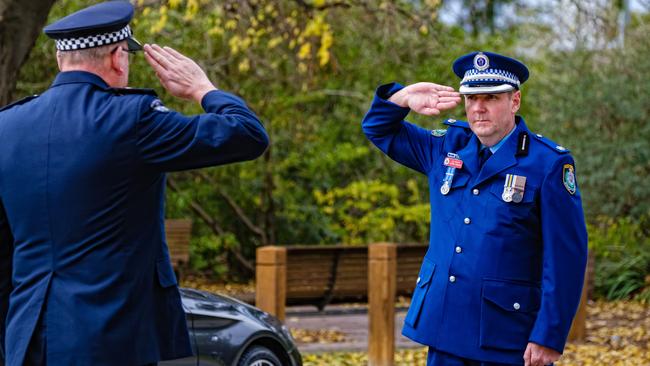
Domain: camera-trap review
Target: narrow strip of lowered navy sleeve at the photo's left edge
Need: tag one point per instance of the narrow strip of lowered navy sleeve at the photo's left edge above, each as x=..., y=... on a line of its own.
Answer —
x=6, y=259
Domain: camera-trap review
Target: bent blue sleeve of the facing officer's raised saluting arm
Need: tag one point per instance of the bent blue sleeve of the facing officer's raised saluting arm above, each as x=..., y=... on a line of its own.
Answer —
x=406, y=143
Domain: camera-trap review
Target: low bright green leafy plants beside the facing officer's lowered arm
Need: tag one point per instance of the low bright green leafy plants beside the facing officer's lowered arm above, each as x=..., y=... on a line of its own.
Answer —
x=622, y=249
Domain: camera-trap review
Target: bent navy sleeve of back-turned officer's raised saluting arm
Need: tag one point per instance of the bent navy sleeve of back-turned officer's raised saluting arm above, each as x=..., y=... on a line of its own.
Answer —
x=228, y=132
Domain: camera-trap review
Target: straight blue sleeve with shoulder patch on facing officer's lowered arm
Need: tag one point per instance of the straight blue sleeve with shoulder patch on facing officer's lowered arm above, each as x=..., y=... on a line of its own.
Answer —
x=564, y=236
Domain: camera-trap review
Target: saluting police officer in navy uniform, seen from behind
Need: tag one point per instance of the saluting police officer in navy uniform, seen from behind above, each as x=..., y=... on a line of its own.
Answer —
x=85, y=274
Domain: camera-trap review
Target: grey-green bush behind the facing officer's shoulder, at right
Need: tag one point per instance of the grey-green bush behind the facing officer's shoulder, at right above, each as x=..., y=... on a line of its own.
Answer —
x=596, y=103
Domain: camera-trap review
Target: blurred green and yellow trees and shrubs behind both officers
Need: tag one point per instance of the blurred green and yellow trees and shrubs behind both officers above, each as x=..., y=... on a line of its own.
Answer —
x=309, y=69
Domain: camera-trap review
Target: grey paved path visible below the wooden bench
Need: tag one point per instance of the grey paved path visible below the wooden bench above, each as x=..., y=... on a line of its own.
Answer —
x=352, y=322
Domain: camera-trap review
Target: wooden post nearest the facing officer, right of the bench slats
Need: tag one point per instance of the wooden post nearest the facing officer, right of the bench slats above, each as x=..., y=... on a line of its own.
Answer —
x=382, y=267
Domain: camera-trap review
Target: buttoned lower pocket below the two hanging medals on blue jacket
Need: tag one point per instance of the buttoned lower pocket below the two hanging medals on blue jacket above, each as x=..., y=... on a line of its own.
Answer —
x=508, y=313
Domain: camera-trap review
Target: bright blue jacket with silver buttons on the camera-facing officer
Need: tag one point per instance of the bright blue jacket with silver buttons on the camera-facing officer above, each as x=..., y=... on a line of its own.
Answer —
x=497, y=274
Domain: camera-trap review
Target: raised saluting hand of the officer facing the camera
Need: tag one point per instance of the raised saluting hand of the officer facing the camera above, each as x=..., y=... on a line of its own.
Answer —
x=426, y=98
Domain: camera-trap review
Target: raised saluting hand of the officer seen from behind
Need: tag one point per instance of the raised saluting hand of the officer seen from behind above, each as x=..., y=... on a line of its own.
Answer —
x=180, y=75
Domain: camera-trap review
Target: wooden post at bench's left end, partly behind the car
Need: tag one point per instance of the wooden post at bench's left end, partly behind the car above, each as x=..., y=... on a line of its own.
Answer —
x=271, y=280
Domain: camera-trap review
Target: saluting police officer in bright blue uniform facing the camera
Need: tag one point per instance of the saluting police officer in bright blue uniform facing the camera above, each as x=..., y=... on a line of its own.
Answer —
x=502, y=277
